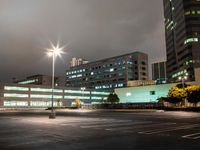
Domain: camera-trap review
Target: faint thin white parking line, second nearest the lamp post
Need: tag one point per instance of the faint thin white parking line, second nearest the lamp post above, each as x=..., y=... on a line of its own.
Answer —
x=141, y=126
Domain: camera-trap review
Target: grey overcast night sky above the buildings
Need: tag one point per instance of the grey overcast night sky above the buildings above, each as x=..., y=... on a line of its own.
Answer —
x=91, y=29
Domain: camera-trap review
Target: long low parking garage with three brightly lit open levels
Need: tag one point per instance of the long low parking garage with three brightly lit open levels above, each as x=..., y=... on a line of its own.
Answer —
x=29, y=95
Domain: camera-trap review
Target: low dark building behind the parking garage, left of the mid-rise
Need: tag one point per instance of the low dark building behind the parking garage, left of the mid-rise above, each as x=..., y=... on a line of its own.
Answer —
x=42, y=80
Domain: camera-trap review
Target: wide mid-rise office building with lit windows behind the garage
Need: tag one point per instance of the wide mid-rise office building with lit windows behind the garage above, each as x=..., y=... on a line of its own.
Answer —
x=111, y=72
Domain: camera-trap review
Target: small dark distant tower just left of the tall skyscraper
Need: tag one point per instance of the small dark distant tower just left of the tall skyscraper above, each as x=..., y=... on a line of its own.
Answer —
x=159, y=72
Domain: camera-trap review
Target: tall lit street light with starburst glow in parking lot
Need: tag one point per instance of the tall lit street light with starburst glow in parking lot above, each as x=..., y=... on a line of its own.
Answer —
x=53, y=52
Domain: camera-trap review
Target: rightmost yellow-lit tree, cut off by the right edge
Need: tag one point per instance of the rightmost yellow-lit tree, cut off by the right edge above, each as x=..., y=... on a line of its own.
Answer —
x=193, y=94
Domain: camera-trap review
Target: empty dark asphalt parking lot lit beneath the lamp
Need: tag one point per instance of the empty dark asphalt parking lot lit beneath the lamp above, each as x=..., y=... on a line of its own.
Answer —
x=81, y=129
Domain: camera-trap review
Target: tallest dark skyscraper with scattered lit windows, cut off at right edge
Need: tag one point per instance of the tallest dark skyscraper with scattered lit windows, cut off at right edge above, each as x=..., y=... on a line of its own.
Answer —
x=182, y=33
